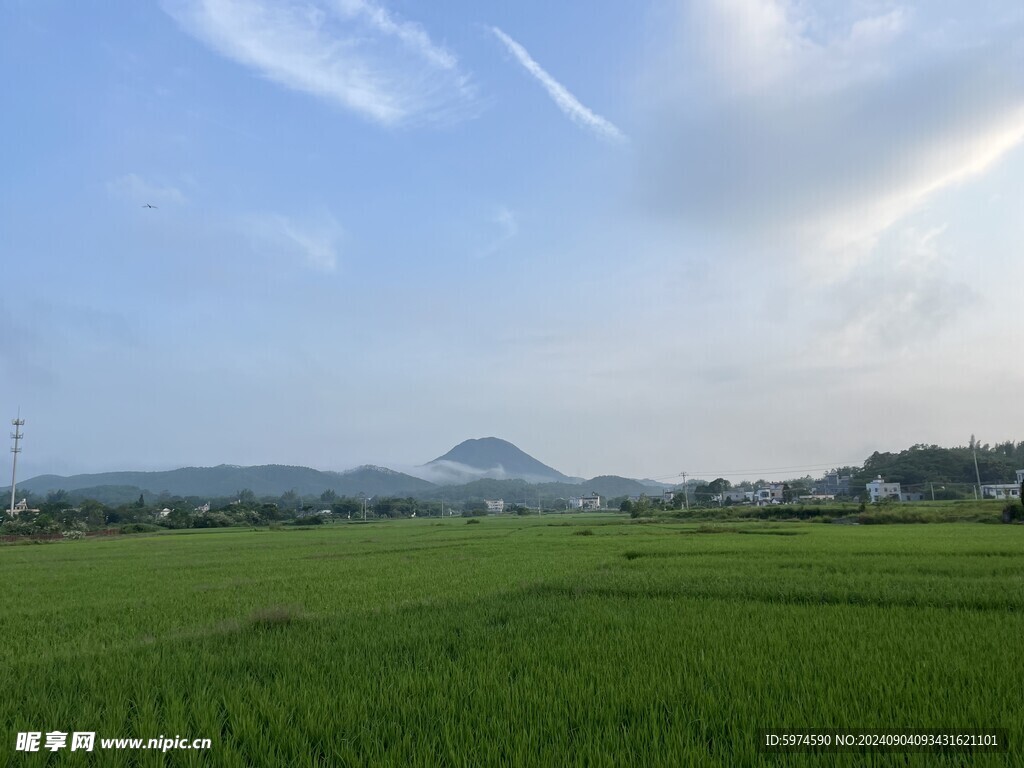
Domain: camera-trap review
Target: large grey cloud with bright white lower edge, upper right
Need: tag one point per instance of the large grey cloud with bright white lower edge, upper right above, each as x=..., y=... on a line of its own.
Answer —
x=823, y=141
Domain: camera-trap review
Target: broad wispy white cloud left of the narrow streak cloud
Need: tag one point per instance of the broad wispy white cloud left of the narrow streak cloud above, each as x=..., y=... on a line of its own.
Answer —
x=350, y=53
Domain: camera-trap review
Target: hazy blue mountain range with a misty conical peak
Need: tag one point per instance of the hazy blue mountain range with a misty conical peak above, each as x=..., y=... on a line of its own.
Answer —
x=488, y=467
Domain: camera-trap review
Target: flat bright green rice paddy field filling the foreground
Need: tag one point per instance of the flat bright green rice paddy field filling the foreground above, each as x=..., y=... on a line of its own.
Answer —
x=576, y=641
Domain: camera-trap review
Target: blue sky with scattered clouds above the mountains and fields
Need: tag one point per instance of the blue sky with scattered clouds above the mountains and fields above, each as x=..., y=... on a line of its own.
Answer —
x=757, y=238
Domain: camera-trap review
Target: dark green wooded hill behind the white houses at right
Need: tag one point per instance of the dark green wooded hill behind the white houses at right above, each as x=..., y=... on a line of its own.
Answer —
x=921, y=464
